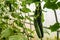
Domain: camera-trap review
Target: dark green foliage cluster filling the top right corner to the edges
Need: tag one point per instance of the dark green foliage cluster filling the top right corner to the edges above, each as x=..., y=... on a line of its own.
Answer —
x=52, y=4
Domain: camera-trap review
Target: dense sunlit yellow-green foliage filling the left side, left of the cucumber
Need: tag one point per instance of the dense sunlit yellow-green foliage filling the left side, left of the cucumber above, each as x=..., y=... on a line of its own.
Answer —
x=11, y=21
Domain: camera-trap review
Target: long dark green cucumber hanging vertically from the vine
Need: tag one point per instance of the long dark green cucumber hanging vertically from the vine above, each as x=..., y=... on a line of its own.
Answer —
x=38, y=21
